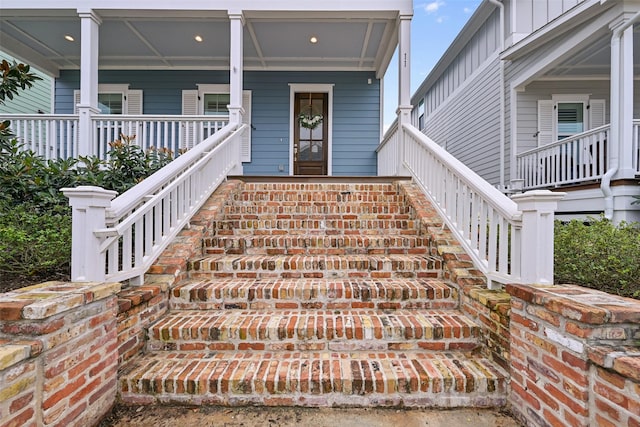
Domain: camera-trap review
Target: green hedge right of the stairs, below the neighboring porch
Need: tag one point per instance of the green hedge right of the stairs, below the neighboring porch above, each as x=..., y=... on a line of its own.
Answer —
x=600, y=255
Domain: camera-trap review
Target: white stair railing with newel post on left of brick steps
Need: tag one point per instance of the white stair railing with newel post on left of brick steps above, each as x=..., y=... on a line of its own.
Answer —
x=120, y=239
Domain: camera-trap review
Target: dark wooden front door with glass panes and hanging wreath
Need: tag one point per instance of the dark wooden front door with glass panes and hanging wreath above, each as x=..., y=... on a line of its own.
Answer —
x=310, y=147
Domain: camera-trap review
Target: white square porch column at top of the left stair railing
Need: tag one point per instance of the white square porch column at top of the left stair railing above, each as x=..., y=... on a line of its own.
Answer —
x=236, y=71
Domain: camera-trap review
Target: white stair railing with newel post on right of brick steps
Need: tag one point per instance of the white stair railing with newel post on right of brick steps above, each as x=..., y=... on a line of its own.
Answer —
x=509, y=242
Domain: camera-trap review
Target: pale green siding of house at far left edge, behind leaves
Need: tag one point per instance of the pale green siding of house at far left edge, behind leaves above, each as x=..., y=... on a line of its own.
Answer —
x=29, y=101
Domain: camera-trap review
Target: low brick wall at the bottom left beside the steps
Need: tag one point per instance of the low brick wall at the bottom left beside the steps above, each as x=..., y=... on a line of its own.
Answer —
x=58, y=354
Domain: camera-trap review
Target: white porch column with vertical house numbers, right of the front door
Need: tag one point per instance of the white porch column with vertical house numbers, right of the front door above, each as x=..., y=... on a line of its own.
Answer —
x=404, y=86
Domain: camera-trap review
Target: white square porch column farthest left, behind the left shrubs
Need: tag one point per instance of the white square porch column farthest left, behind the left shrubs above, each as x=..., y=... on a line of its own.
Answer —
x=89, y=27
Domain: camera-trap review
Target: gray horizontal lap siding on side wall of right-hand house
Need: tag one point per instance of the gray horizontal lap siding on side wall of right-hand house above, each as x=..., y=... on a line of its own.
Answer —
x=468, y=124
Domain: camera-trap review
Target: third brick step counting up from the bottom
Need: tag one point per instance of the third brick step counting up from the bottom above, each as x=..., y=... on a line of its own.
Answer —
x=333, y=294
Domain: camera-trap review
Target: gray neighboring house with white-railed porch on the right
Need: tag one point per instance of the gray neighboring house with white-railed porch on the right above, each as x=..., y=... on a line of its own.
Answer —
x=539, y=94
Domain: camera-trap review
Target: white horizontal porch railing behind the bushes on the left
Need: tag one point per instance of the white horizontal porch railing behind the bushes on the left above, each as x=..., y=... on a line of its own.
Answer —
x=56, y=135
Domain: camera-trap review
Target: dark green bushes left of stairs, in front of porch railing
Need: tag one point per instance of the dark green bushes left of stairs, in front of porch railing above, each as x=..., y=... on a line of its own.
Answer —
x=35, y=220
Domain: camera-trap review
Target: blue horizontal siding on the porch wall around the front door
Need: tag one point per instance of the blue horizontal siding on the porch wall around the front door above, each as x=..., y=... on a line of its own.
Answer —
x=356, y=110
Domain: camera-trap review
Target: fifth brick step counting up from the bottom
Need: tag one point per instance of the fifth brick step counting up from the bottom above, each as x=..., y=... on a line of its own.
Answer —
x=315, y=244
